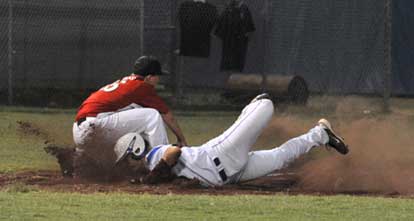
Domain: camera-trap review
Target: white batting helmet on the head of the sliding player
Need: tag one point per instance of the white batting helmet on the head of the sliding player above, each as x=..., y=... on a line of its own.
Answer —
x=130, y=143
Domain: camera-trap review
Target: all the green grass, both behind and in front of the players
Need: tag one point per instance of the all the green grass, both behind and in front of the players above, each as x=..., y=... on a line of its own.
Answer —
x=21, y=151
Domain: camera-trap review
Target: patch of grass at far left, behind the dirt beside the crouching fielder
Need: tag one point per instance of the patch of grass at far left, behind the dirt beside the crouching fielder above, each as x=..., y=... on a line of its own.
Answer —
x=21, y=151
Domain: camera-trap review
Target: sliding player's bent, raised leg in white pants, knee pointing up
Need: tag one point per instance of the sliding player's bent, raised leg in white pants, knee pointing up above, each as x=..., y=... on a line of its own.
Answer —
x=233, y=146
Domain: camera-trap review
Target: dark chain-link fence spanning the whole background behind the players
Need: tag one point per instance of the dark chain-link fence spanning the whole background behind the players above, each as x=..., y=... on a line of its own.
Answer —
x=336, y=47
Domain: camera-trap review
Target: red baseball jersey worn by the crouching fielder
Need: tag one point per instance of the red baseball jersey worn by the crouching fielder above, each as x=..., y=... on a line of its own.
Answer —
x=121, y=93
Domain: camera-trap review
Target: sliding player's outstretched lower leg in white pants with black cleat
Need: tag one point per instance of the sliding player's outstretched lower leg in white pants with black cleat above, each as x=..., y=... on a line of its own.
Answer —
x=263, y=162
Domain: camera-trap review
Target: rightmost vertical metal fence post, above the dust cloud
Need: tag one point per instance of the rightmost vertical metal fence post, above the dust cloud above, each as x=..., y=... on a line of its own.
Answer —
x=387, y=84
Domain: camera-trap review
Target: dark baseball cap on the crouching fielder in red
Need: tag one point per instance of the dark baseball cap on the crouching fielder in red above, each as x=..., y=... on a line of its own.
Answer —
x=148, y=65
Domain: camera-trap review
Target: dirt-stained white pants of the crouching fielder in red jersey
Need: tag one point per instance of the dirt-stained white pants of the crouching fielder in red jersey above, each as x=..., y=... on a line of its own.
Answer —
x=101, y=133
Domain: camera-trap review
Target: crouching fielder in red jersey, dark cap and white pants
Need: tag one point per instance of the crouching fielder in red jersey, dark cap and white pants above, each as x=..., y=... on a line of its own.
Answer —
x=130, y=104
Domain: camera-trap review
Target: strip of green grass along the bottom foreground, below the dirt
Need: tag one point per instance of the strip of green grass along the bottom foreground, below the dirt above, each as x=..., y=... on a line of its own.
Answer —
x=38, y=205
